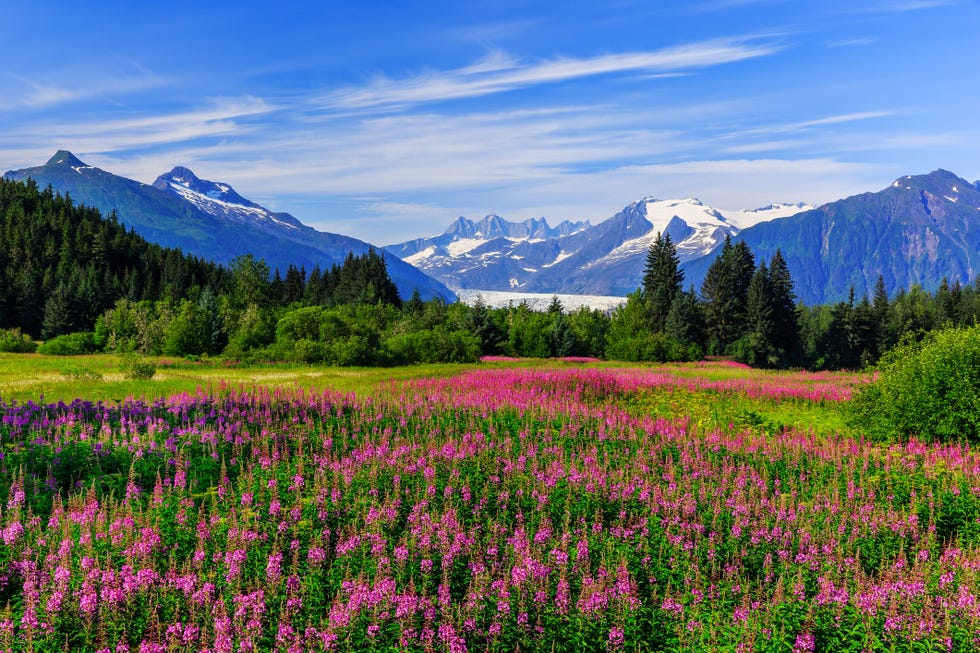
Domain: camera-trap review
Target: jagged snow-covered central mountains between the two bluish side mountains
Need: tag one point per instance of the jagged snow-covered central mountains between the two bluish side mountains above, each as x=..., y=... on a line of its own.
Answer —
x=577, y=258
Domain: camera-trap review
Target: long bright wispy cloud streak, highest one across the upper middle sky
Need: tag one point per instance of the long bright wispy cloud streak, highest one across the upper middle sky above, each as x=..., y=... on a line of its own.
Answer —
x=498, y=74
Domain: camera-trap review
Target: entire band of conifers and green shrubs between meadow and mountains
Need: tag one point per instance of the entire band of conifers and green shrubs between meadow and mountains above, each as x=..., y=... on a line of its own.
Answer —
x=82, y=282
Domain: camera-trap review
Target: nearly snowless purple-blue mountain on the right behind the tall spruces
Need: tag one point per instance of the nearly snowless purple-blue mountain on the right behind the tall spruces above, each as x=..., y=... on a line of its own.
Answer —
x=916, y=231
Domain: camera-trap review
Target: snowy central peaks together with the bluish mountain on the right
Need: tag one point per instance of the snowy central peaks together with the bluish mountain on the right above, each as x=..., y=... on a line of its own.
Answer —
x=919, y=230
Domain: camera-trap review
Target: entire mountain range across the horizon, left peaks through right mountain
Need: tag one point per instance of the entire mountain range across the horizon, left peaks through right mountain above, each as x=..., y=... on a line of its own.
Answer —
x=918, y=230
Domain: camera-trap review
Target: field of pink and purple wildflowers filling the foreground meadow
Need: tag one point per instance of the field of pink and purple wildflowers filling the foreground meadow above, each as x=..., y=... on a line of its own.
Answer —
x=570, y=507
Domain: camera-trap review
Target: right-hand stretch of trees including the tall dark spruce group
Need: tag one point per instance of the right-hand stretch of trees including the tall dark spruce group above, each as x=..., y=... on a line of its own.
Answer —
x=748, y=311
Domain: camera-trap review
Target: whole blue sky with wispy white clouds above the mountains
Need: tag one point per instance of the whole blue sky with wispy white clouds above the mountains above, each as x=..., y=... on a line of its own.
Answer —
x=385, y=121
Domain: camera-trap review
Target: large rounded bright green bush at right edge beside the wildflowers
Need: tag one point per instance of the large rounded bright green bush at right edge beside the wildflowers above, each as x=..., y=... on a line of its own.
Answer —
x=928, y=389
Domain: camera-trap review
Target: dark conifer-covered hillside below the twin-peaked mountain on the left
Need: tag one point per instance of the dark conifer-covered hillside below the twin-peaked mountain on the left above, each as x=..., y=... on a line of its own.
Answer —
x=62, y=265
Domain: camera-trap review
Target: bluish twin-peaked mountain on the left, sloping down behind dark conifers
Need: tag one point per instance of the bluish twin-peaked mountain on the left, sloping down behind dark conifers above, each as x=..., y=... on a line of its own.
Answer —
x=210, y=220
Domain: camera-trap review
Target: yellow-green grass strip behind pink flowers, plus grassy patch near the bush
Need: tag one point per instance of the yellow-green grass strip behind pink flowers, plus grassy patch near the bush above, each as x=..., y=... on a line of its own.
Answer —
x=100, y=377
